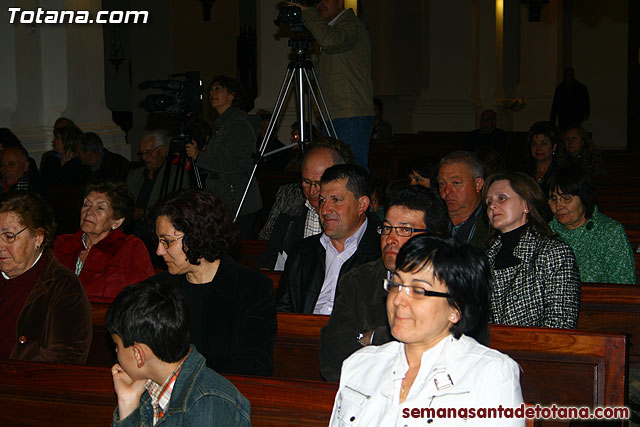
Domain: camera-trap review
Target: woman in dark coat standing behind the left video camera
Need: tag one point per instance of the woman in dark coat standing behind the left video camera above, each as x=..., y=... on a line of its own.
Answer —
x=227, y=158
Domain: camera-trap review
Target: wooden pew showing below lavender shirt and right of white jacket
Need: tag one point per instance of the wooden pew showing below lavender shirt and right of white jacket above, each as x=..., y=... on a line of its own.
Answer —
x=567, y=367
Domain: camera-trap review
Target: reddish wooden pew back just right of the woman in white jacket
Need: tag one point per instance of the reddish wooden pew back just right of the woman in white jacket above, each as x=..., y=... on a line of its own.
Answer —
x=567, y=367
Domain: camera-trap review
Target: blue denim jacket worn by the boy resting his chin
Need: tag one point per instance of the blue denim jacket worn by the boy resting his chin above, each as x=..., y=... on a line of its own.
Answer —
x=200, y=397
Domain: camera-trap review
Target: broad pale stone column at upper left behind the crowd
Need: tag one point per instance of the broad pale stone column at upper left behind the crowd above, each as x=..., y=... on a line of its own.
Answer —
x=58, y=70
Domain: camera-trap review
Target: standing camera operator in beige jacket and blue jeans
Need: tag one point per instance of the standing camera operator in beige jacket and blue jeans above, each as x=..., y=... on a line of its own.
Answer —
x=344, y=71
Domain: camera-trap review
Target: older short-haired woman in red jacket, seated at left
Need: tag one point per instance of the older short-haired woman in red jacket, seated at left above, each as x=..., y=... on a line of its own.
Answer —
x=102, y=256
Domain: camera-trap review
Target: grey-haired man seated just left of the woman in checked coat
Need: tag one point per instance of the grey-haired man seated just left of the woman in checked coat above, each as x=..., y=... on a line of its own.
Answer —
x=460, y=182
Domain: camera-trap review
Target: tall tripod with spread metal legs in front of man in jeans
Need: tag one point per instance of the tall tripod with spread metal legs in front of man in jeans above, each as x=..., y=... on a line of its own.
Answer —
x=298, y=70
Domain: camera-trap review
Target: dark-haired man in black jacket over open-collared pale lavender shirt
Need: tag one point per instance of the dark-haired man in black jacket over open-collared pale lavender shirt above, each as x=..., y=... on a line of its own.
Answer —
x=350, y=239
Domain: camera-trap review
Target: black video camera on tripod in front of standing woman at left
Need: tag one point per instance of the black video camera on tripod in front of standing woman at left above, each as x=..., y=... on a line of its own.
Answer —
x=182, y=100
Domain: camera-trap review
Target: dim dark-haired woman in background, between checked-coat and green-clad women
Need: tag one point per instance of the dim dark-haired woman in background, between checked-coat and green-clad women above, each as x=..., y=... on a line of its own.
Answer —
x=543, y=141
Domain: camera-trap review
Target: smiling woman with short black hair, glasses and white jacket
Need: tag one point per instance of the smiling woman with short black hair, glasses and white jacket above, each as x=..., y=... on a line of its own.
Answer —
x=437, y=295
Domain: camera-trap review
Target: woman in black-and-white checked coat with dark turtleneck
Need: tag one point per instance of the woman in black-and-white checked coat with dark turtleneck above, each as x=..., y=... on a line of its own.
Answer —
x=536, y=278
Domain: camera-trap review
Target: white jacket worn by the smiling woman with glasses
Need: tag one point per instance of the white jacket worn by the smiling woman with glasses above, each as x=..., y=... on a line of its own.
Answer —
x=455, y=373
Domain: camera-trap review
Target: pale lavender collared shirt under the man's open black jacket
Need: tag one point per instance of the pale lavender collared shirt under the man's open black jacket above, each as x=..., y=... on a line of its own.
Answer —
x=333, y=262
